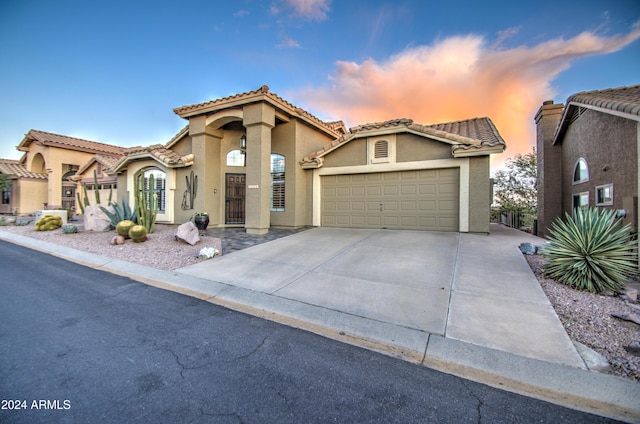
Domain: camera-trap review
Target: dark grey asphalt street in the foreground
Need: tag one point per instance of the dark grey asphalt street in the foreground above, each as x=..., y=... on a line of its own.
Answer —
x=81, y=345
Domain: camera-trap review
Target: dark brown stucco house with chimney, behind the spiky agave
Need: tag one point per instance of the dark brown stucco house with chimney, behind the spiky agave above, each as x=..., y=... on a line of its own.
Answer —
x=588, y=154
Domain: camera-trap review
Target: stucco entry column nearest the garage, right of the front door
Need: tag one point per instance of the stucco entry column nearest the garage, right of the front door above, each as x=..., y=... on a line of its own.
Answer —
x=258, y=120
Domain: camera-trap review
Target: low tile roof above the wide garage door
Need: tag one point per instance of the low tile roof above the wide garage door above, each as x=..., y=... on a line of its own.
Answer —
x=469, y=134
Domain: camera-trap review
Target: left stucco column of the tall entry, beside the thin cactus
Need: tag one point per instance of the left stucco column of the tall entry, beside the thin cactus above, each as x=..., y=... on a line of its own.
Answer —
x=205, y=146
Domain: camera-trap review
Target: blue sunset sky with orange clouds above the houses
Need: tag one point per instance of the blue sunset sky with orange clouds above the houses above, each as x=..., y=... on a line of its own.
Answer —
x=113, y=71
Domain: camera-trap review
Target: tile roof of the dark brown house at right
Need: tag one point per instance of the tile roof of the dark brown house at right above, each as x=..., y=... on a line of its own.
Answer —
x=621, y=99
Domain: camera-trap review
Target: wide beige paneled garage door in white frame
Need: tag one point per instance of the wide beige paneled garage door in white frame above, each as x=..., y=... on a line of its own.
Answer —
x=415, y=200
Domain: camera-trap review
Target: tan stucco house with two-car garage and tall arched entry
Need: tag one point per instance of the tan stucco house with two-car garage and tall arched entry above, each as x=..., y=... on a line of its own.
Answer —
x=255, y=160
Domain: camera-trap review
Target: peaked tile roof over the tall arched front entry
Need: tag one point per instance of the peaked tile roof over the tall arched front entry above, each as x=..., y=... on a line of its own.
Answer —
x=261, y=94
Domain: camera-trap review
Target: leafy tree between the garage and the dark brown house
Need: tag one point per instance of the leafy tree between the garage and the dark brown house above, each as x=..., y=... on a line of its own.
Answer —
x=515, y=188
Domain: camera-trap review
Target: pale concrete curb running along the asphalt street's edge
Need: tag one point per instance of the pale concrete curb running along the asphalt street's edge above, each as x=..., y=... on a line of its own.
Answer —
x=583, y=390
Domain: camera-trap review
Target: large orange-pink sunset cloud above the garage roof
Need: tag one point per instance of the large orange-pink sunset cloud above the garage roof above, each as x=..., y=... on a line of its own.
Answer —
x=458, y=78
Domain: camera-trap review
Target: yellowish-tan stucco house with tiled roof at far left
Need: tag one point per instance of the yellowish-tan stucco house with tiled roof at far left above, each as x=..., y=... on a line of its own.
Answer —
x=41, y=178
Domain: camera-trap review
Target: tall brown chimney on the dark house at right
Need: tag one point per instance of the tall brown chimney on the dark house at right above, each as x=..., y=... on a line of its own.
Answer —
x=549, y=160
